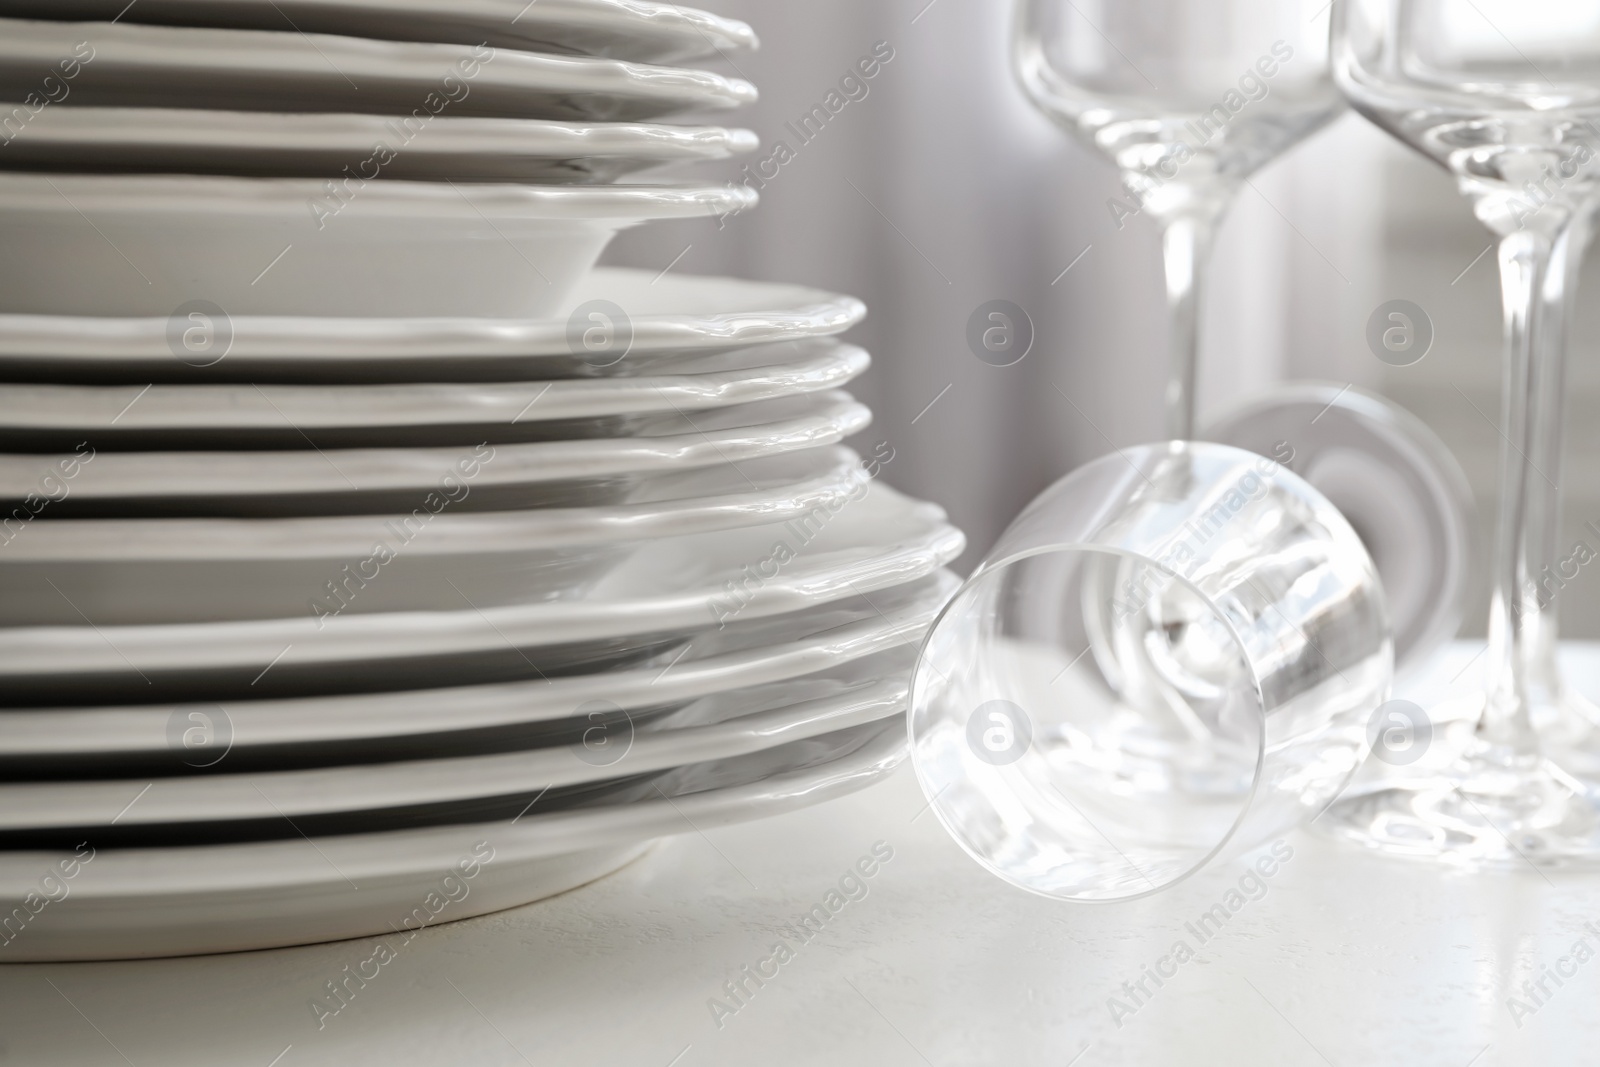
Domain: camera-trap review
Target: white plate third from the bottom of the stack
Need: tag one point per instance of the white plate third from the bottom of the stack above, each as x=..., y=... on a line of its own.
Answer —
x=463, y=721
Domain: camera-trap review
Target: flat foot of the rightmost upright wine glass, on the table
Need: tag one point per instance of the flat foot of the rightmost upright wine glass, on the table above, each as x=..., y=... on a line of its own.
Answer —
x=1486, y=810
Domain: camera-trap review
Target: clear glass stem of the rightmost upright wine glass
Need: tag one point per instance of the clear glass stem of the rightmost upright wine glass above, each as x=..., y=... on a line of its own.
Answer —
x=1537, y=270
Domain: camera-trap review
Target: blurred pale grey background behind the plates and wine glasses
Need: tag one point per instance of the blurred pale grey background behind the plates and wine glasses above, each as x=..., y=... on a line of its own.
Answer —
x=943, y=190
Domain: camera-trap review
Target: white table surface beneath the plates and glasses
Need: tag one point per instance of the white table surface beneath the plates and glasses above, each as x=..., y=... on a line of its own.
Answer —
x=1348, y=959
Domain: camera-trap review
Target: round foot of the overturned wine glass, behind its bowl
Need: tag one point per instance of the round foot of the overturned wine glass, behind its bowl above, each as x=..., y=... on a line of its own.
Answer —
x=1393, y=479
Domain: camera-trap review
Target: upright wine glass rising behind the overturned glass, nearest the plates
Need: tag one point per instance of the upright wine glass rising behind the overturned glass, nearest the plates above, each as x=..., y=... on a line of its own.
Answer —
x=1188, y=98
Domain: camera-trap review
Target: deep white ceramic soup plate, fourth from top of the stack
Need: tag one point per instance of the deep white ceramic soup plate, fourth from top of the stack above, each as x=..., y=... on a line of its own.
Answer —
x=183, y=246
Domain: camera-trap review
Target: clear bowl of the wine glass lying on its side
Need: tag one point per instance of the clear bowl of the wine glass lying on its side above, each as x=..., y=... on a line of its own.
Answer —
x=1174, y=653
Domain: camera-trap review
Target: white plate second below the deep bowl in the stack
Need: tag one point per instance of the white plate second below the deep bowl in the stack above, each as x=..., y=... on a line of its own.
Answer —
x=47, y=417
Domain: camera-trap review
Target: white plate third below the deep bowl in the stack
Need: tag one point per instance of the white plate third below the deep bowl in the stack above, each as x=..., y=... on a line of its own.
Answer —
x=388, y=481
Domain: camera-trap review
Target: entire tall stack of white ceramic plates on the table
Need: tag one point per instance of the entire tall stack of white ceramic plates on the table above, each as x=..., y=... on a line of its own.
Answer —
x=367, y=557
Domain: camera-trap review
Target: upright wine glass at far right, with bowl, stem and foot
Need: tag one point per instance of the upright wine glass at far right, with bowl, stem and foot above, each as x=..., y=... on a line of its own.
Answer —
x=1505, y=95
